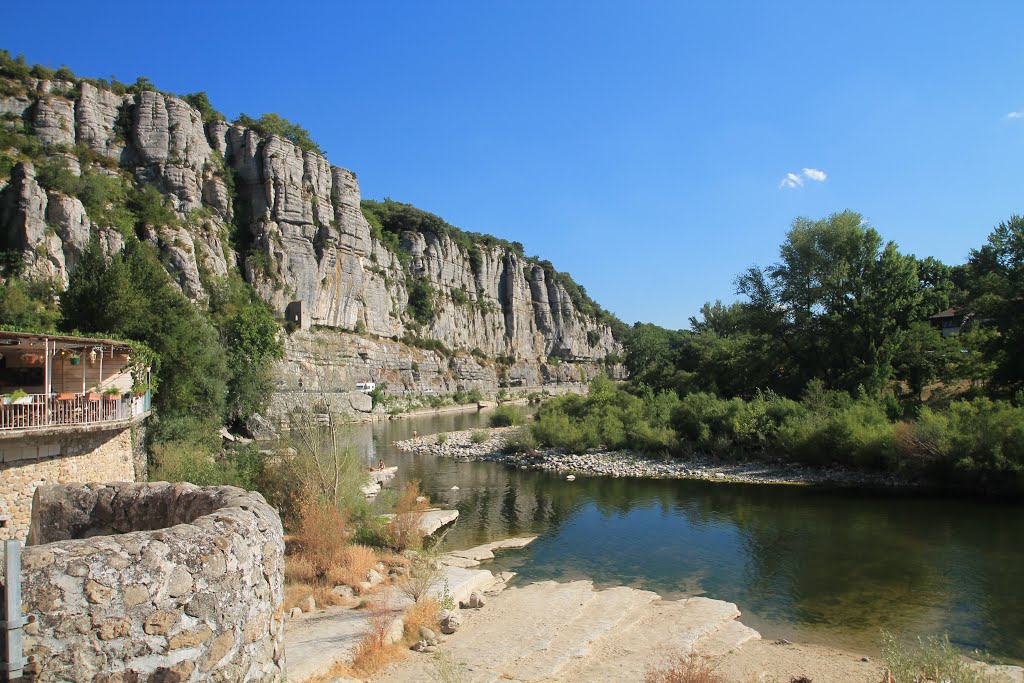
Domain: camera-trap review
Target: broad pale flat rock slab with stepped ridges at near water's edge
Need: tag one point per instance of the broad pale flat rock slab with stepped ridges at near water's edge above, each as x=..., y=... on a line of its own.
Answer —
x=570, y=632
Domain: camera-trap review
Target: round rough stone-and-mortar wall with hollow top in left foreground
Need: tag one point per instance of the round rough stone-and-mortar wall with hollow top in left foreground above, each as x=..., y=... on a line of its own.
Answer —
x=148, y=583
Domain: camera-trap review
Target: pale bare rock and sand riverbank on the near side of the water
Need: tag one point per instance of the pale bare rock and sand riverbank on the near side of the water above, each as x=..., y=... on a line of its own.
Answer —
x=569, y=631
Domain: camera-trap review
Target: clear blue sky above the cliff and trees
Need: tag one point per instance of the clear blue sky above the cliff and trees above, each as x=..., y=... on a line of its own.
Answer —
x=642, y=147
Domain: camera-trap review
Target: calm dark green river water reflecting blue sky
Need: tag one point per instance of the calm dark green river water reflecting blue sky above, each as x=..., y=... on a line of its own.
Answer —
x=817, y=566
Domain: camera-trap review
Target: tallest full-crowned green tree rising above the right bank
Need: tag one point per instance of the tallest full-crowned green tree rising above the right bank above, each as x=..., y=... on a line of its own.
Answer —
x=839, y=301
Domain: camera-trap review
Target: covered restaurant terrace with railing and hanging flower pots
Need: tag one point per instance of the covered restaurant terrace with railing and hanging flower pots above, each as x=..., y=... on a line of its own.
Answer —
x=55, y=382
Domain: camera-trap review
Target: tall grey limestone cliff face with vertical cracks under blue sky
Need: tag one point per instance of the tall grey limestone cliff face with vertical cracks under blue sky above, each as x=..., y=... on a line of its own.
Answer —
x=283, y=218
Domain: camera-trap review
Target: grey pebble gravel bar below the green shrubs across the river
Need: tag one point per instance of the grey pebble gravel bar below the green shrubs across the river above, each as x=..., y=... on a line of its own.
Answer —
x=461, y=446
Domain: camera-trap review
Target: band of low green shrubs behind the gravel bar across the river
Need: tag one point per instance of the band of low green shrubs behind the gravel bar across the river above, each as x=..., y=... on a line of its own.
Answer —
x=975, y=444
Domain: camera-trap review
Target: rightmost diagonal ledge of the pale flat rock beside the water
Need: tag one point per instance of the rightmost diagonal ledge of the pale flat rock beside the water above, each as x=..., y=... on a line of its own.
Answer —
x=665, y=628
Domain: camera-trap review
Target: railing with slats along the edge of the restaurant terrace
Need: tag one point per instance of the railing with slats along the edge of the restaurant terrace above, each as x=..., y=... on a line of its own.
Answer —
x=42, y=412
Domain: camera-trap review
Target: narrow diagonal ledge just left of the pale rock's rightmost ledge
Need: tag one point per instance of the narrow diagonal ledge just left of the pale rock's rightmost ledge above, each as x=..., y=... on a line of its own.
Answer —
x=608, y=614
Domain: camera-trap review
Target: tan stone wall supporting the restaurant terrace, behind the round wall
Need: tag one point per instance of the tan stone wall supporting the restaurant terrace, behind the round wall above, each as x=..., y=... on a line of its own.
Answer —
x=31, y=461
